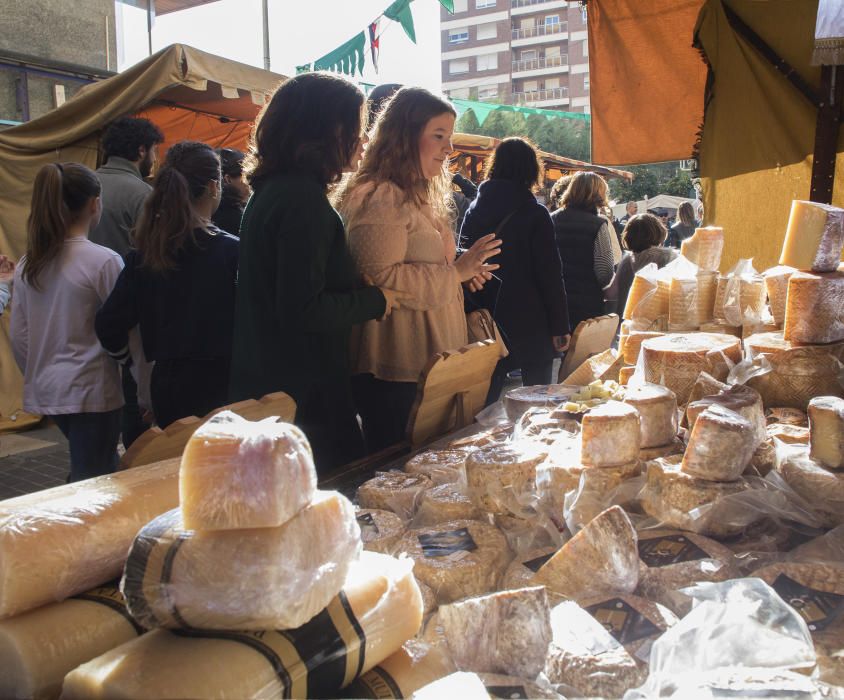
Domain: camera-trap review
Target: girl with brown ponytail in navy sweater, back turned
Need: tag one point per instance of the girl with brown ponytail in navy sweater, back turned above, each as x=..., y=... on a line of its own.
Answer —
x=178, y=288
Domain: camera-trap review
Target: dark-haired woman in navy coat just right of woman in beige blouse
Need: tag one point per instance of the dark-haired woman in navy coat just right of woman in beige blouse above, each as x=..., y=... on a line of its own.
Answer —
x=528, y=300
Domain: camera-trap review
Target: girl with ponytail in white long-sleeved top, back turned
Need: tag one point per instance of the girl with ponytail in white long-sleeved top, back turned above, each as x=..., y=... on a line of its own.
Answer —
x=59, y=285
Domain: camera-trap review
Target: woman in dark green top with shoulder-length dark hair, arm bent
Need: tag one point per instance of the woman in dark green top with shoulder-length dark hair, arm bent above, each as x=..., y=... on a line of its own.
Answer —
x=298, y=291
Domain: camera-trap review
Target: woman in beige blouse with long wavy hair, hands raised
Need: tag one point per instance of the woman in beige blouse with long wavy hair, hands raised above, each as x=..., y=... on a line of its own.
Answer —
x=398, y=209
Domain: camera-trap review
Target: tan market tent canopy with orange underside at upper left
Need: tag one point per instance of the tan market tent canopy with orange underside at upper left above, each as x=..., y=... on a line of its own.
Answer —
x=187, y=92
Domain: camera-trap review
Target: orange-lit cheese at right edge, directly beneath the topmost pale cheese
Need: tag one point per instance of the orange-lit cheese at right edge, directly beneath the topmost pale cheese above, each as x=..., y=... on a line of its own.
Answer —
x=813, y=308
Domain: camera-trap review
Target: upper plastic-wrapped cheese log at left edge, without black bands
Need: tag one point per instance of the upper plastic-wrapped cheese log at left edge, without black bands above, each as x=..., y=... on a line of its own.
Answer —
x=70, y=539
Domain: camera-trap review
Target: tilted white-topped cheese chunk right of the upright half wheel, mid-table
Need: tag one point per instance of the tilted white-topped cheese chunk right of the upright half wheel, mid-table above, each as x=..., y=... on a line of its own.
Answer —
x=720, y=446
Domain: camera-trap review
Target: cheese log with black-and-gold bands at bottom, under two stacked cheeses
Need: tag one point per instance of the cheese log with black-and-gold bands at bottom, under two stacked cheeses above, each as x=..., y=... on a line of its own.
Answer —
x=378, y=609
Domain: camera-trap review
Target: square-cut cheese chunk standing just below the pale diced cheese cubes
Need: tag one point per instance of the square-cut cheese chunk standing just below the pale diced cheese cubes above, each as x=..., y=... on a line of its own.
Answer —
x=611, y=435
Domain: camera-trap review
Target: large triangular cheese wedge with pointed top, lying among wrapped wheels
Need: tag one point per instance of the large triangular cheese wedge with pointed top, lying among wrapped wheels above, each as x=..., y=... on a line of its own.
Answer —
x=600, y=559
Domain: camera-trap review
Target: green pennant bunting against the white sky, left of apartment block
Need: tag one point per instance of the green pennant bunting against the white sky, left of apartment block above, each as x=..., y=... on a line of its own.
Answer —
x=349, y=57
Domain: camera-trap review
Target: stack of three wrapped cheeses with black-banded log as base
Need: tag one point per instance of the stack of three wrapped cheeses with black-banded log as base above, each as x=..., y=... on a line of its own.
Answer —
x=256, y=565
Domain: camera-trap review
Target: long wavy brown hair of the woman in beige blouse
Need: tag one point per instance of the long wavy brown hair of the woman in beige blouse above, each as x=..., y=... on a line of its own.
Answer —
x=393, y=152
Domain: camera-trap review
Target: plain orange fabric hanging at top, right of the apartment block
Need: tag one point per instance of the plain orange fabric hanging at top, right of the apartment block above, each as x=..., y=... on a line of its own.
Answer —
x=646, y=80
